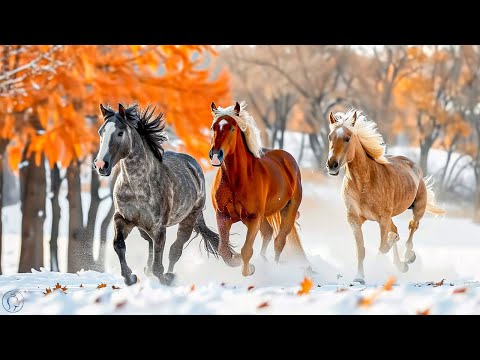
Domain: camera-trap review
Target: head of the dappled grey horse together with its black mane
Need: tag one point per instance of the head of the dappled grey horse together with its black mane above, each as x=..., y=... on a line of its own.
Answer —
x=118, y=132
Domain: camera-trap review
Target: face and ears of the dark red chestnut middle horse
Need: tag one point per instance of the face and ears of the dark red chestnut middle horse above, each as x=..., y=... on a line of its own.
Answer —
x=224, y=136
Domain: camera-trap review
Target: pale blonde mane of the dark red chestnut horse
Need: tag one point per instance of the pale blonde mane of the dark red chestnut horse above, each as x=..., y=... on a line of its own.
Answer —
x=246, y=123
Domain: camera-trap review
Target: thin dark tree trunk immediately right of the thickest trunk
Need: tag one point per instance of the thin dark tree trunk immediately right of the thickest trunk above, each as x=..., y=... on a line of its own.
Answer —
x=55, y=182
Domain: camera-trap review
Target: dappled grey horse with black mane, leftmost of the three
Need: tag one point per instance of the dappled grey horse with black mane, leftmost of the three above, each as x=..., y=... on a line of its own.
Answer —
x=153, y=189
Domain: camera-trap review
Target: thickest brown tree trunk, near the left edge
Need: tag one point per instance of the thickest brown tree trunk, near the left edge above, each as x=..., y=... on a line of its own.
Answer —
x=33, y=197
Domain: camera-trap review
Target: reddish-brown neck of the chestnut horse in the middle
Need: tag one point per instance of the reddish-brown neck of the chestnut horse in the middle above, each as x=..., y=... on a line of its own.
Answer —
x=237, y=165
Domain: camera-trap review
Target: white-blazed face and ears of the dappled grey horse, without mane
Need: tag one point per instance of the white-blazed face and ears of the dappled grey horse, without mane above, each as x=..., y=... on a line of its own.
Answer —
x=115, y=140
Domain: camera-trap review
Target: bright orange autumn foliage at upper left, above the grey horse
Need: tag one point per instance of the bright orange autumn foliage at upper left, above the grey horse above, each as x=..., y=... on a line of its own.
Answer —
x=53, y=104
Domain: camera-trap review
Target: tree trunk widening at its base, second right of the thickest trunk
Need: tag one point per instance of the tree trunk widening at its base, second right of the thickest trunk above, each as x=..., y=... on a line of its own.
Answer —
x=77, y=252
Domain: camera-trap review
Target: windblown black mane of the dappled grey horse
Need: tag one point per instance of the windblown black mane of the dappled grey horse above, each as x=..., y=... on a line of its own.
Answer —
x=149, y=127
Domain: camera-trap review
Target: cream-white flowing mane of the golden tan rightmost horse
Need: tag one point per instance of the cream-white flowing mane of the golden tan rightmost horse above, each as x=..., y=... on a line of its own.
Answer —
x=366, y=131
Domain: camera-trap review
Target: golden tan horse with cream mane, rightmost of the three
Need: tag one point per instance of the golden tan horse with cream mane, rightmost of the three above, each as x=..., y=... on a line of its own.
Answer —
x=376, y=187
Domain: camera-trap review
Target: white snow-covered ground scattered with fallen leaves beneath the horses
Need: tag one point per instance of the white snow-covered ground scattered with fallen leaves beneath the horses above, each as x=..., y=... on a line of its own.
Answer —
x=446, y=247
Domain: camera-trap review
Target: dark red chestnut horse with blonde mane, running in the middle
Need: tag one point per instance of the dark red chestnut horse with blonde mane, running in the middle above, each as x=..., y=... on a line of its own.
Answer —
x=260, y=187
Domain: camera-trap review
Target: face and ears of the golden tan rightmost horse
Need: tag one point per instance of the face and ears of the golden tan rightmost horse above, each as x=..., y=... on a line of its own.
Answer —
x=341, y=150
